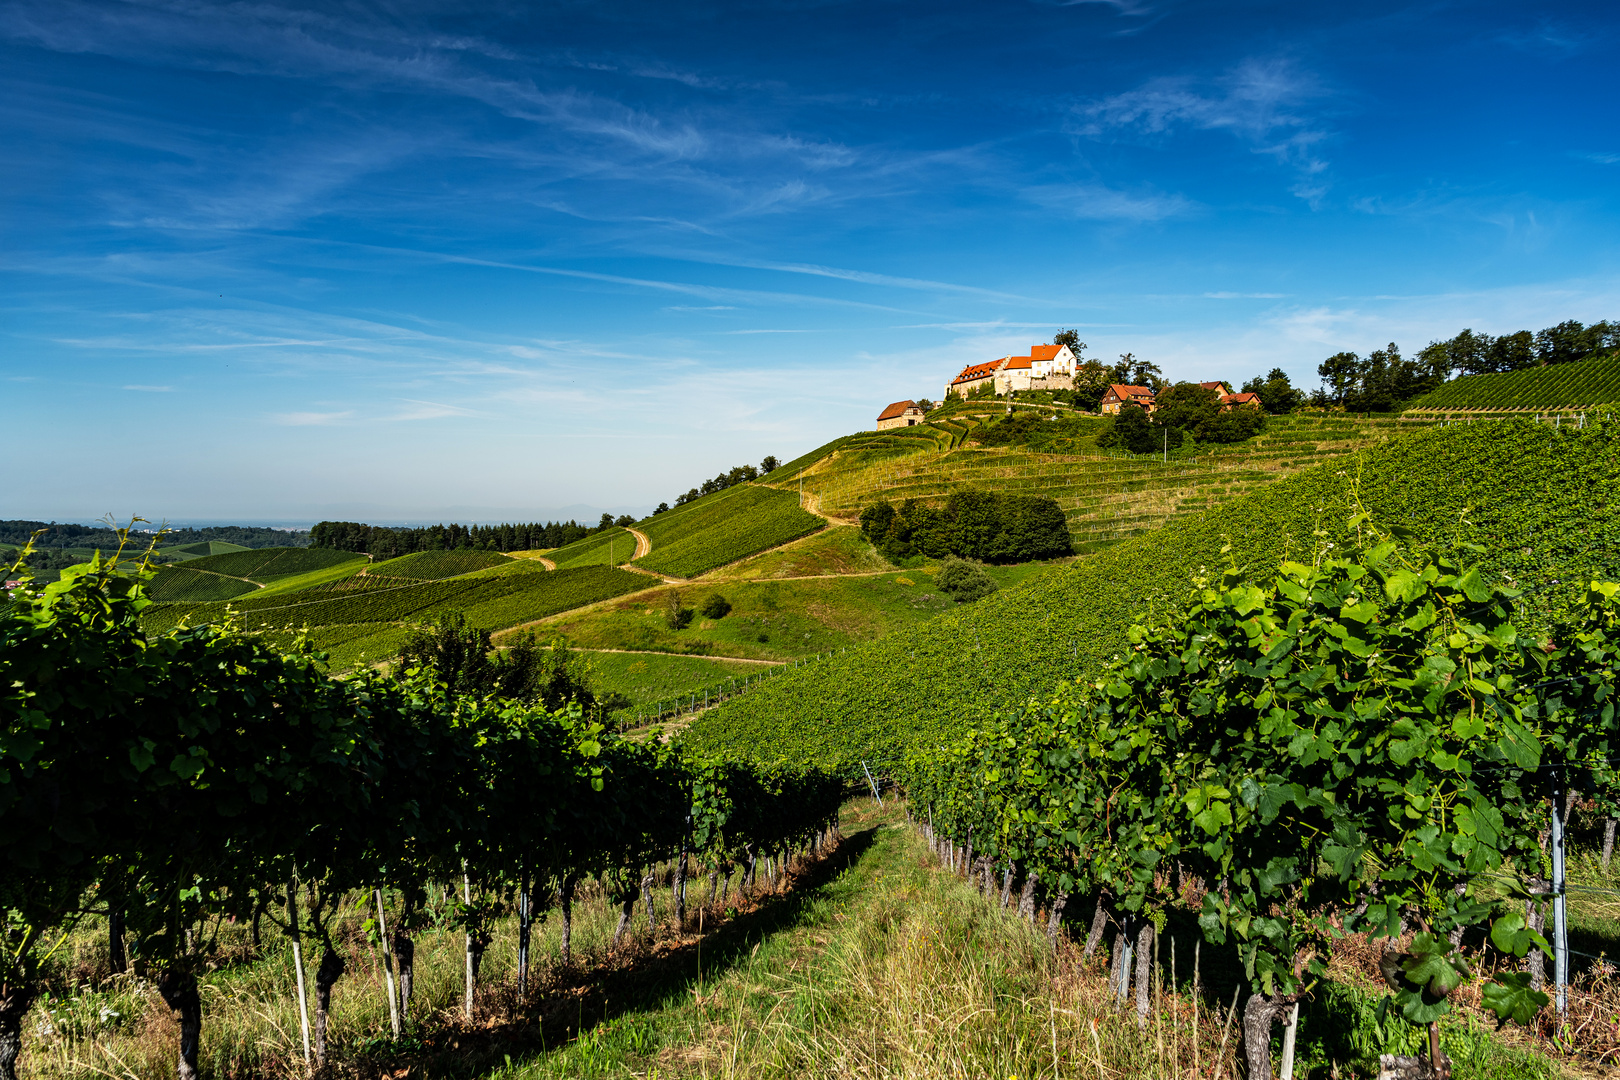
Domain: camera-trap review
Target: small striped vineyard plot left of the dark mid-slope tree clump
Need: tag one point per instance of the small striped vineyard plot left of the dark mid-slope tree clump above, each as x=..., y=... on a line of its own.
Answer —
x=722, y=529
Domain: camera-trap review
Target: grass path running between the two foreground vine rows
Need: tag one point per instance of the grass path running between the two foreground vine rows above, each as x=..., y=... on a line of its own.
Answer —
x=877, y=964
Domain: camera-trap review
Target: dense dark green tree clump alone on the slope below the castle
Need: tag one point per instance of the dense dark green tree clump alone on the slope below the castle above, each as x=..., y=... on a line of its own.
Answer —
x=984, y=525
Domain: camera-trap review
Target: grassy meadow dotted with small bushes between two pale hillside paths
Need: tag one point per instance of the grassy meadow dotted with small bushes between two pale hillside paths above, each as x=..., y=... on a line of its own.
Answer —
x=774, y=621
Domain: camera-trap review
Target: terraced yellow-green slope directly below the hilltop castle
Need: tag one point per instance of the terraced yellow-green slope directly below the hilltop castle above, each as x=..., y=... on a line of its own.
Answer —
x=1106, y=496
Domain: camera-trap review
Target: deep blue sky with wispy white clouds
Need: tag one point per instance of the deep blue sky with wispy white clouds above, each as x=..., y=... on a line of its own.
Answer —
x=401, y=261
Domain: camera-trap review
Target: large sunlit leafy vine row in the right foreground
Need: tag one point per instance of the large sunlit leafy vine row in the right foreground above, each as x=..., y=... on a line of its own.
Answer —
x=1358, y=746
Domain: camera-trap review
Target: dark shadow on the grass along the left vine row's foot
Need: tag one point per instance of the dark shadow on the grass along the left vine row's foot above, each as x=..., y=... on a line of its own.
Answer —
x=573, y=1001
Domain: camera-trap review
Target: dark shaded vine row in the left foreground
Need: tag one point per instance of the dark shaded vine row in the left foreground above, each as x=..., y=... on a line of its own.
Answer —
x=271, y=793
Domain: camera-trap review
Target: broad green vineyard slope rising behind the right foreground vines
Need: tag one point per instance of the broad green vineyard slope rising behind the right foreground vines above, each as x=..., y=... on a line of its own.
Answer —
x=1537, y=498
